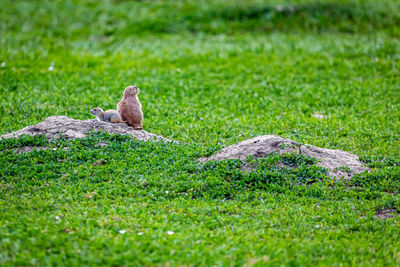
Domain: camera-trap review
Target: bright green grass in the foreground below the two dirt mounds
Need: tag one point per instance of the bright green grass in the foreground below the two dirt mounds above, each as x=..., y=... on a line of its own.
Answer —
x=69, y=205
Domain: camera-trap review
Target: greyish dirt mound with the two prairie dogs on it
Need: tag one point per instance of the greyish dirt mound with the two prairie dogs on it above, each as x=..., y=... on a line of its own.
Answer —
x=56, y=126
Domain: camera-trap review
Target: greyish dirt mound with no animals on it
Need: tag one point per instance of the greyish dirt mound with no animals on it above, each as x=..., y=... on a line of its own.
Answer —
x=340, y=163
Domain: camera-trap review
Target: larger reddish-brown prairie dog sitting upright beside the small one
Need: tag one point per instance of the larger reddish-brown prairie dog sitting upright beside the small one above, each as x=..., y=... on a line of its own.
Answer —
x=130, y=108
